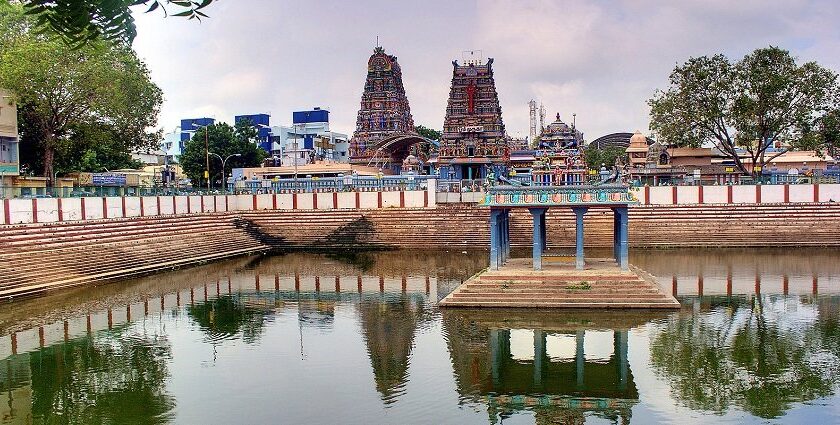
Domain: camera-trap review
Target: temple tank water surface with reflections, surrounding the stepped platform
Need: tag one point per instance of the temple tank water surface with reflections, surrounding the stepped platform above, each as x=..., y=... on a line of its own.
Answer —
x=307, y=338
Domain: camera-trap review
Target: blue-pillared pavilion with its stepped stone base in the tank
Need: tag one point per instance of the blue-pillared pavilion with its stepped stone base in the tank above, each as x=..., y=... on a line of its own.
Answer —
x=596, y=283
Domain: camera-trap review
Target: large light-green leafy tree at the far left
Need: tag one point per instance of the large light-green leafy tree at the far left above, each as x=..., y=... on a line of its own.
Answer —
x=65, y=94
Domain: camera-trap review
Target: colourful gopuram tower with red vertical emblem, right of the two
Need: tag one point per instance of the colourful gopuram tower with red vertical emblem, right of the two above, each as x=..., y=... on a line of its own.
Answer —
x=473, y=141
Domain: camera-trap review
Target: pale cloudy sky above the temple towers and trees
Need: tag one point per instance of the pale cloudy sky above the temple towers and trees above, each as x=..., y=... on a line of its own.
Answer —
x=600, y=60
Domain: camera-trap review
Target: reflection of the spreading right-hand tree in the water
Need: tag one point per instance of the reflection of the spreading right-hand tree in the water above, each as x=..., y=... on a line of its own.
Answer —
x=761, y=354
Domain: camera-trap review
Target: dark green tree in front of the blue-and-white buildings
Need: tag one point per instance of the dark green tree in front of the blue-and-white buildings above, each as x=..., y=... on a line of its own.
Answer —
x=222, y=140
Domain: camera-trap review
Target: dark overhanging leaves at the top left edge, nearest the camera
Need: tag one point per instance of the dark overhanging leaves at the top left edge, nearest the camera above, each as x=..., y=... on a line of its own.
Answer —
x=79, y=22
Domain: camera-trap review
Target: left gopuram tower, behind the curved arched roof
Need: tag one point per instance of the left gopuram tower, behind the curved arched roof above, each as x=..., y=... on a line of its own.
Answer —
x=384, y=110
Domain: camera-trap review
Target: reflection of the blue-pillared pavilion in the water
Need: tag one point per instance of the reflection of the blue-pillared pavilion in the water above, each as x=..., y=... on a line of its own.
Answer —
x=558, y=389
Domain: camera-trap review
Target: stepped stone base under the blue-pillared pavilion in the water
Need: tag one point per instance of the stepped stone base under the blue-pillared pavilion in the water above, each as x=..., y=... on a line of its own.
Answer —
x=601, y=284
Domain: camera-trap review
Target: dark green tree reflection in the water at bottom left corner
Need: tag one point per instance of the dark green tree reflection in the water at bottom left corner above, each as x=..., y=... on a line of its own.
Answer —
x=114, y=376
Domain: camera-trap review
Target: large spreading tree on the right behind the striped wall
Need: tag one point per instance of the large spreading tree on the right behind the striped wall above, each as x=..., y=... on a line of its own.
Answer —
x=762, y=101
